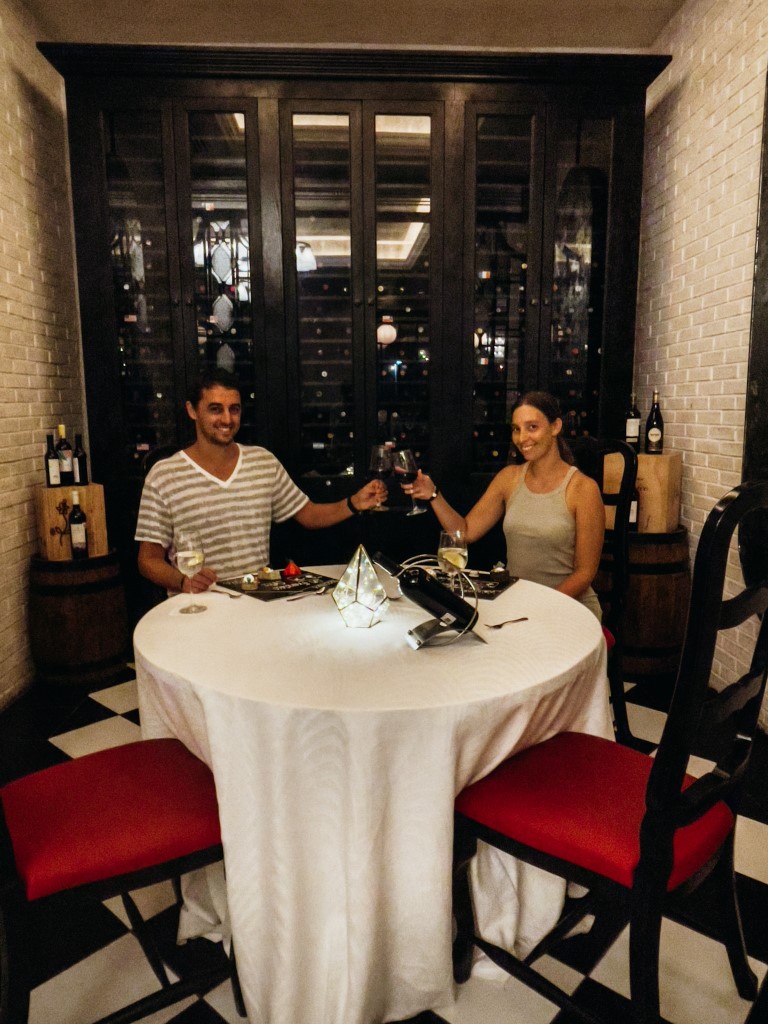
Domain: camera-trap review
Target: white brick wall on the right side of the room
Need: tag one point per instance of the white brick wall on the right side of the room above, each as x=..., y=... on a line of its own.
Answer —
x=702, y=180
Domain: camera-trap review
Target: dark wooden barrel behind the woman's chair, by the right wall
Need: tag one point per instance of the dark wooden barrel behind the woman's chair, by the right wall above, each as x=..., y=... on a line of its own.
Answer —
x=657, y=607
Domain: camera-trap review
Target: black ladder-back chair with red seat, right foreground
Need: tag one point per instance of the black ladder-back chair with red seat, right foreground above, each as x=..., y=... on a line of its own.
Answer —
x=638, y=832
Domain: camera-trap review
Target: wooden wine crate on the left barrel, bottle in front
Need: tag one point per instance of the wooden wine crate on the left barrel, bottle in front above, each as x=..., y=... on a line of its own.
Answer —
x=54, y=506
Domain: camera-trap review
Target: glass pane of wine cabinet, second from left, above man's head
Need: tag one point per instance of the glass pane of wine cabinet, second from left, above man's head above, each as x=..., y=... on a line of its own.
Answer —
x=223, y=302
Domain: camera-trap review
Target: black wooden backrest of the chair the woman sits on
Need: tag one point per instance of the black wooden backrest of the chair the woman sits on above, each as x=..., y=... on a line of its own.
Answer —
x=613, y=464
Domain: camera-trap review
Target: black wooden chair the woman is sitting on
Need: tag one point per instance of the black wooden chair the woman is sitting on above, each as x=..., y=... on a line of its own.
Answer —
x=613, y=580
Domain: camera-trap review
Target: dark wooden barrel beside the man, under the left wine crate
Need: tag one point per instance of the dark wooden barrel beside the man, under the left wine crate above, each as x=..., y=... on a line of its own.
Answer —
x=78, y=621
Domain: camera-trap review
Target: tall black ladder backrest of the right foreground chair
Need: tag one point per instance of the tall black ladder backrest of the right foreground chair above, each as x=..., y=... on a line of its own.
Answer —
x=731, y=714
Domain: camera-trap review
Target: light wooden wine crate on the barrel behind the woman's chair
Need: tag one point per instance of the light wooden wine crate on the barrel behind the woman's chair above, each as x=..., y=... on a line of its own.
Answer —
x=660, y=480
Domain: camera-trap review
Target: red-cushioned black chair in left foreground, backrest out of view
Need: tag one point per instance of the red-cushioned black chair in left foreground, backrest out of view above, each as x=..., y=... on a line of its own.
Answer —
x=100, y=827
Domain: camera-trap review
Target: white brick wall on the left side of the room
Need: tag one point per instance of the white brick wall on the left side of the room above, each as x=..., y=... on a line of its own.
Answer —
x=40, y=363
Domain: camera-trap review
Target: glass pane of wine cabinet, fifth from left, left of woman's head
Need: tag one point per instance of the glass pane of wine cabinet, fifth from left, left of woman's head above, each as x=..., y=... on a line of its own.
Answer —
x=502, y=335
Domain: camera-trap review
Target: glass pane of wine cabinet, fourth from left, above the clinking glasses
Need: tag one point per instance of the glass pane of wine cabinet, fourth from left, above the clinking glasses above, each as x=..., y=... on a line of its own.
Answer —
x=404, y=242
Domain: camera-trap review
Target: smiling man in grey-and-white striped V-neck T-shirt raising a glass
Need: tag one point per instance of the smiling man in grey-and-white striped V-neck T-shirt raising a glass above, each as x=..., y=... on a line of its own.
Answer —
x=227, y=493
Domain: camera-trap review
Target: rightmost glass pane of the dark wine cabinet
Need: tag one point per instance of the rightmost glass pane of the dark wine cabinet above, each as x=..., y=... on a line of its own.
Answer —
x=579, y=271
